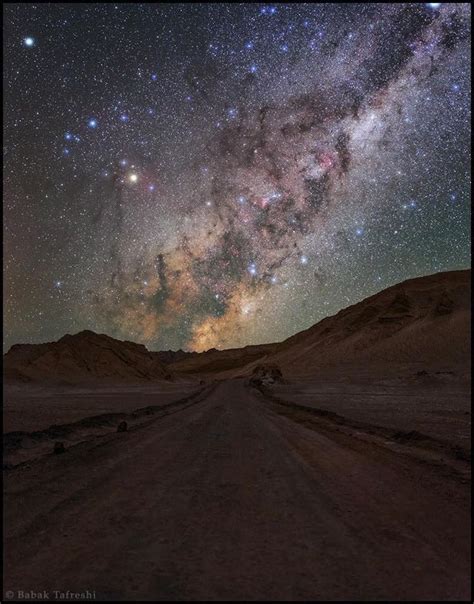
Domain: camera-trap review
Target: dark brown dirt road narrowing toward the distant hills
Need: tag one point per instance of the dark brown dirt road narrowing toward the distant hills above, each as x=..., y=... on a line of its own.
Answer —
x=236, y=497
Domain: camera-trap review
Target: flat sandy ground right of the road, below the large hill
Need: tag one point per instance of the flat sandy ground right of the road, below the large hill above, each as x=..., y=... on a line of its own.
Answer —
x=438, y=405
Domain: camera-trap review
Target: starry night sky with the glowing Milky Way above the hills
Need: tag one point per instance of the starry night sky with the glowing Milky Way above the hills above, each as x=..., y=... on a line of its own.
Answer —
x=196, y=176
